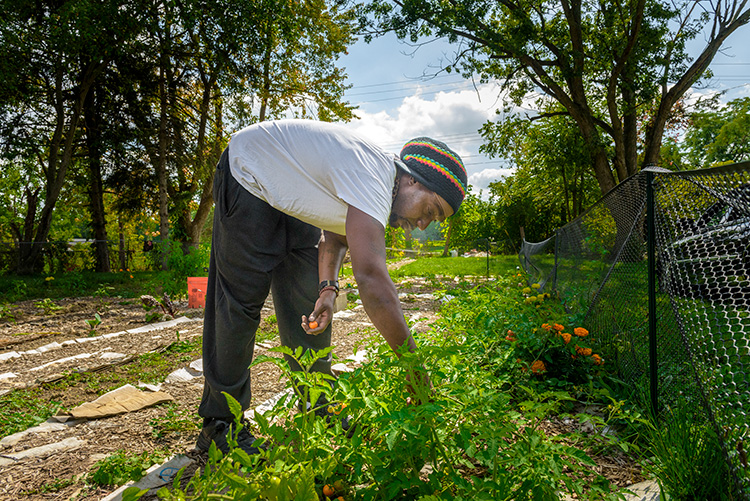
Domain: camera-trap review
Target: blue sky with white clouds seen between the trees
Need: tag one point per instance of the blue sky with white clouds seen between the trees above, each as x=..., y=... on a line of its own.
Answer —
x=401, y=94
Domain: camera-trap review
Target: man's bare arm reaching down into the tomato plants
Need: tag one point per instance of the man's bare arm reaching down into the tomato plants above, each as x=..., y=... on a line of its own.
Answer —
x=366, y=239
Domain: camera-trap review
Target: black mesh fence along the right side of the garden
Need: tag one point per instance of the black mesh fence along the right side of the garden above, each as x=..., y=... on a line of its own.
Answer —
x=659, y=268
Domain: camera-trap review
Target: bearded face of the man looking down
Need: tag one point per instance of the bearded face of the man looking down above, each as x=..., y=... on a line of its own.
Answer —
x=416, y=206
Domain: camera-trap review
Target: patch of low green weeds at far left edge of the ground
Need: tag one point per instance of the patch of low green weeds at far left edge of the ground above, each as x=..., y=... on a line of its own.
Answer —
x=22, y=409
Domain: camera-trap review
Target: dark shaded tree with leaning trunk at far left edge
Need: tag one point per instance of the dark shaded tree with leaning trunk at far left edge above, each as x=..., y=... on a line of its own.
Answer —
x=52, y=54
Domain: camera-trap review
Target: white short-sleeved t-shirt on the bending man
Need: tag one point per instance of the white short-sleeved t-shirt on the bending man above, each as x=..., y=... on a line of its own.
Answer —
x=313, y=171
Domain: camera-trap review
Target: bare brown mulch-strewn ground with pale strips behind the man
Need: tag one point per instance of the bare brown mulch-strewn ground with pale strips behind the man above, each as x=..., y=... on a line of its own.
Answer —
x=38, y=347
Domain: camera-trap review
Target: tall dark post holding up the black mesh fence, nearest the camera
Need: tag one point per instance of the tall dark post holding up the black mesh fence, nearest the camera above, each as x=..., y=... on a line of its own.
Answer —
x=651, y=249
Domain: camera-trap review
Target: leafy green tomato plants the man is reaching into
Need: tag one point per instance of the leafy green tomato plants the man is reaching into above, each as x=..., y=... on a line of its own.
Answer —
x=478, y=426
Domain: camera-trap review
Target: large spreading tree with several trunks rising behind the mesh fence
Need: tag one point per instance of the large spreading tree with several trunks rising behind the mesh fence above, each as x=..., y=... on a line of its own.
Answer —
x=604, y=63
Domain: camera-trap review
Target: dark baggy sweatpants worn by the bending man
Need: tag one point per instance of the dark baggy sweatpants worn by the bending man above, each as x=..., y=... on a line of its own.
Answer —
x=255, y=248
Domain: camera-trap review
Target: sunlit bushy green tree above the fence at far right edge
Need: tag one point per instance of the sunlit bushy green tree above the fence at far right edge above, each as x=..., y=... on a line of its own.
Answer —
x=719, y=135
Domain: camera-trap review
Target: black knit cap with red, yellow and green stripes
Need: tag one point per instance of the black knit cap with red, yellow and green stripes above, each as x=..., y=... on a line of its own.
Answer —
x=437, y=167
